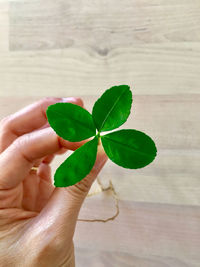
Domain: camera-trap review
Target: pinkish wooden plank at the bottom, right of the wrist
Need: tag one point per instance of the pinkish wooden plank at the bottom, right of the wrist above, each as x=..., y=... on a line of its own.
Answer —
x=144, y=234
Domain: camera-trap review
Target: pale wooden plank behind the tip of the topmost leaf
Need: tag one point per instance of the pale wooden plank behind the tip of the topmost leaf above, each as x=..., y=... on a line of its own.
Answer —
x=148, y=68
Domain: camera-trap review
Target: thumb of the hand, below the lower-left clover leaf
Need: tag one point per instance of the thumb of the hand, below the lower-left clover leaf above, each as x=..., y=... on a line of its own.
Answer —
x=62, y=209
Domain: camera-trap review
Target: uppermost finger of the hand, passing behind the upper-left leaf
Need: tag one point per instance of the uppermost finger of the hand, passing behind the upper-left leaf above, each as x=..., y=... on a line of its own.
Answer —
x=28, y=119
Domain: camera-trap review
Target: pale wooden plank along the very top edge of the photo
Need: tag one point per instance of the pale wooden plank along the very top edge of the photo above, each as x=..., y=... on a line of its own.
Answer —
x=102, y=25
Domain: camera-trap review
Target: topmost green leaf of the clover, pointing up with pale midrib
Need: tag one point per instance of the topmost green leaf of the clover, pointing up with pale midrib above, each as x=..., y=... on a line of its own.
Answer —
x=112, y=109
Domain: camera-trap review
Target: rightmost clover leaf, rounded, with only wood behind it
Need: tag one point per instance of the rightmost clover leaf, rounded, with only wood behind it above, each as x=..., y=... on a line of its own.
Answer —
x=130, y=149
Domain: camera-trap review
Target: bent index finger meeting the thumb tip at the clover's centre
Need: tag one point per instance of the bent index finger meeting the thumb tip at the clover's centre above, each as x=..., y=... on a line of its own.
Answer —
x=26, y=150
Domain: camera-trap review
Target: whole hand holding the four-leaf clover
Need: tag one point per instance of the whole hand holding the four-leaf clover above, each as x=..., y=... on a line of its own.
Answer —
x=37, y=220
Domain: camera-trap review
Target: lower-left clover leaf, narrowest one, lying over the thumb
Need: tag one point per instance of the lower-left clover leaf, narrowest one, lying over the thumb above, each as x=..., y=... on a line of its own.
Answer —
x=77, y=165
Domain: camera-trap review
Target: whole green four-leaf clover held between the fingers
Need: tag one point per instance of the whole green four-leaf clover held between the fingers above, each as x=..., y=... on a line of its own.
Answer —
x=127, y=148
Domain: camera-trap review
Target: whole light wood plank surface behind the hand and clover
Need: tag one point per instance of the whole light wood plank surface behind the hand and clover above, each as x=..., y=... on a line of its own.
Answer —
x=65, y=47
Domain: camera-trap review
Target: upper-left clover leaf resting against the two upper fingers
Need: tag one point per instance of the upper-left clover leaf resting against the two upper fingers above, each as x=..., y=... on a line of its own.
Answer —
x=70, y=121
